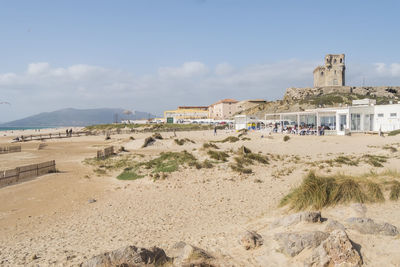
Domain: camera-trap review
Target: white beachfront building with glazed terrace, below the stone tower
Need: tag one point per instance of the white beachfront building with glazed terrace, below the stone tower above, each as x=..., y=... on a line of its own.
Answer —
x=362, y=116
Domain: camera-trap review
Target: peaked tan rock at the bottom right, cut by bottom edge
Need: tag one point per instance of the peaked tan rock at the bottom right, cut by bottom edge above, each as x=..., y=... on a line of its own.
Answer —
x=336, y=250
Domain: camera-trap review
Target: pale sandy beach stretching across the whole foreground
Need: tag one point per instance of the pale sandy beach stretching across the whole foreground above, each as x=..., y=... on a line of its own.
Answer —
x=49, y=221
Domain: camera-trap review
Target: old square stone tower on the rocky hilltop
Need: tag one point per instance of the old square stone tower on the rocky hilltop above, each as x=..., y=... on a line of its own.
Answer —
x=332, y=73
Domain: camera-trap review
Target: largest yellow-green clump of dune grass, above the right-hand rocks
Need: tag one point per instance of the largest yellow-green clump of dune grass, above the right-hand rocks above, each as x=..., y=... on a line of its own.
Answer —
x=318, y=191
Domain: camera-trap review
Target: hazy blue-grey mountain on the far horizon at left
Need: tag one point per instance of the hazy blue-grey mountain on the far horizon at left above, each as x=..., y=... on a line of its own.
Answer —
x=77, y=117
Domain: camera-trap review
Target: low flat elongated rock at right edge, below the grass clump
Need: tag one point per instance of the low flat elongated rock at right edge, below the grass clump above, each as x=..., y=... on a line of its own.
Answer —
x=368, y=226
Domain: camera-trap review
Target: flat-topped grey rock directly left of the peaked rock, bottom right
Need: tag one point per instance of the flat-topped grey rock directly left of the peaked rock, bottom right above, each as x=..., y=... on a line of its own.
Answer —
x=292, y=244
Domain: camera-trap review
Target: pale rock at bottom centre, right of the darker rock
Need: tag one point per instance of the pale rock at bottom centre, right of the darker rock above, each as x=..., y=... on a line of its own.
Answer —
x=187, y=255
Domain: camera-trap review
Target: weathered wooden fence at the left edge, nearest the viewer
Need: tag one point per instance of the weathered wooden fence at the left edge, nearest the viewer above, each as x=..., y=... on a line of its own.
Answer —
x=20, y=174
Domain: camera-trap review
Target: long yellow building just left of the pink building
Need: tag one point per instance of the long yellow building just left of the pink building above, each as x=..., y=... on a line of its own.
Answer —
x=186, y=113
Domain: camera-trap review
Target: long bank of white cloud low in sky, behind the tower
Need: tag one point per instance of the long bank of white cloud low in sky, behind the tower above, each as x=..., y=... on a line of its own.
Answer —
x=43, y=87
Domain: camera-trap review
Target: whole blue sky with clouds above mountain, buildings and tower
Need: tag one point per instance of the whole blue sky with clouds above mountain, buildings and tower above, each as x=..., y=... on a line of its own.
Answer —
x=156, y=55
